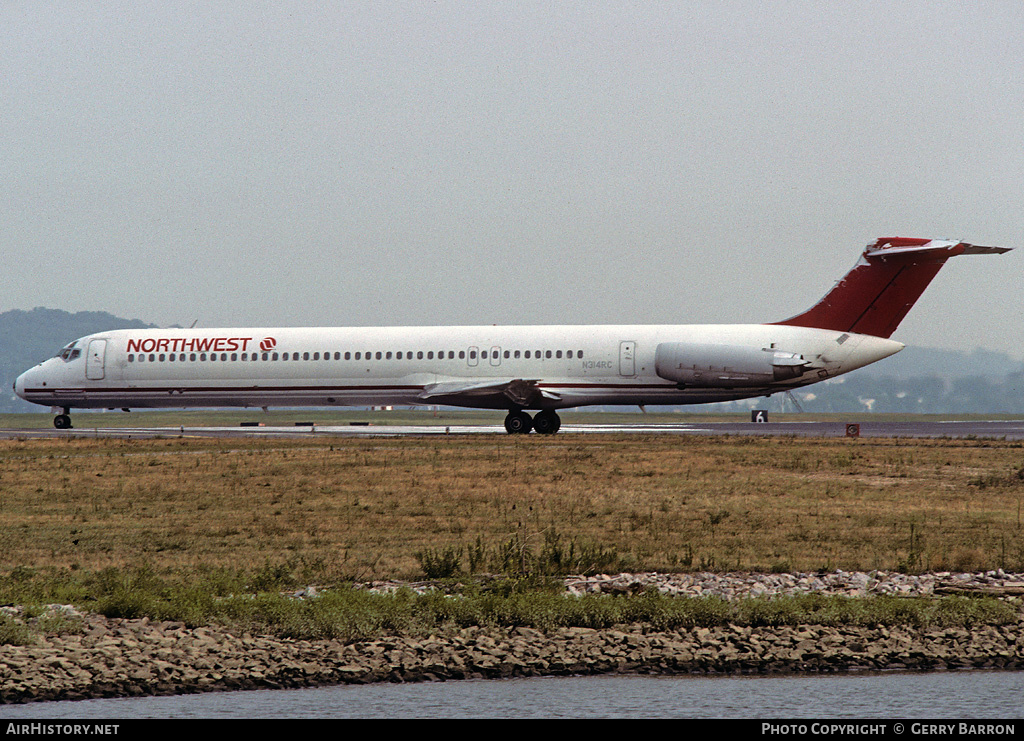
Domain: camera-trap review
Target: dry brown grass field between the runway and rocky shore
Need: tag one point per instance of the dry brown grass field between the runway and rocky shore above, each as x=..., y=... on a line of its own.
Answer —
x=366, y=509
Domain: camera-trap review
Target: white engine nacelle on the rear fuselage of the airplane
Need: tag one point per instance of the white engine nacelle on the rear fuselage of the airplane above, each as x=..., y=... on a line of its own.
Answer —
x=726, y=366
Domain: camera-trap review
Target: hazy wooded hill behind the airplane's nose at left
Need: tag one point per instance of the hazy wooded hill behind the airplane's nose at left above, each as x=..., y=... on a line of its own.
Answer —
x=30, y=337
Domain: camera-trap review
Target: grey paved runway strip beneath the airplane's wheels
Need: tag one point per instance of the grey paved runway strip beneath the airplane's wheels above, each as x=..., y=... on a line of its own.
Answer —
x=996, y=429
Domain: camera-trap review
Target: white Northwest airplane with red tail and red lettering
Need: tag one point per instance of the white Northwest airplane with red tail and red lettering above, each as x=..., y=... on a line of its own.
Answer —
x=518, y=369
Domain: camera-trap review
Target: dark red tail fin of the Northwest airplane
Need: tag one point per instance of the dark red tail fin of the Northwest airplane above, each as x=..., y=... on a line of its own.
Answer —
x=878, y=293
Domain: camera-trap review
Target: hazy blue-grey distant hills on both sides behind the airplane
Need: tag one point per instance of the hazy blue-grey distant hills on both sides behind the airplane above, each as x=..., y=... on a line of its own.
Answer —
x=917, y=380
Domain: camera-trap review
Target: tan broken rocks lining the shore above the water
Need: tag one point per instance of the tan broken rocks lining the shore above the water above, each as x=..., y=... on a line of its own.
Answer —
x=125, y=659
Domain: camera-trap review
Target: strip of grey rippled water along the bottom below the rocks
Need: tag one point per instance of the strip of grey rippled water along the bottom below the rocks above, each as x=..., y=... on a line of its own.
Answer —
x=955, y=695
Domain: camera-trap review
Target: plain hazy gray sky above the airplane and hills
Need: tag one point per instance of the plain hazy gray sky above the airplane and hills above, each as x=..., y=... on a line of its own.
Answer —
x=406, y=163
